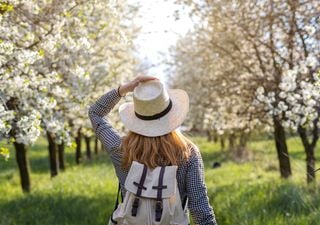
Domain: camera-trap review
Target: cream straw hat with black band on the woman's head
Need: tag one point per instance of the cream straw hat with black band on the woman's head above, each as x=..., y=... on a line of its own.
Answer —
x=155, y=111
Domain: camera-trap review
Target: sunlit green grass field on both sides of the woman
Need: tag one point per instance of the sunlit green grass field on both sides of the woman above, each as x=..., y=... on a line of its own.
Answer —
x=249, y=193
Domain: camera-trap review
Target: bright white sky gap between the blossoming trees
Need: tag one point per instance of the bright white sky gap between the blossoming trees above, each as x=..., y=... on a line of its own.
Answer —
x=160, y=30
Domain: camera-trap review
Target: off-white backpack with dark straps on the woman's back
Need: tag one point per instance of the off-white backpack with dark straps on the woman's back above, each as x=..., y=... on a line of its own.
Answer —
x=152, y=198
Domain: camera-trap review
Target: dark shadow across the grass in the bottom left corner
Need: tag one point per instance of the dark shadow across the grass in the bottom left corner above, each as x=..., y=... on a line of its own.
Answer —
x=57, y=210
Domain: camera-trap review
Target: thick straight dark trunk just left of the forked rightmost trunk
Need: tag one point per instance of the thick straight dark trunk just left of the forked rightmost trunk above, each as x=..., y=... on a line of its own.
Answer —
x=282, y=149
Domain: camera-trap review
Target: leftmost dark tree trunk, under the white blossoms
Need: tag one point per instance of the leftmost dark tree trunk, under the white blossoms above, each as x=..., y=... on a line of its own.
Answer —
x=21, y=157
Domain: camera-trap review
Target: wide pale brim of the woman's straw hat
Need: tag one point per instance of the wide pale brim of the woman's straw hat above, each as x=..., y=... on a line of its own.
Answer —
x=164, y=125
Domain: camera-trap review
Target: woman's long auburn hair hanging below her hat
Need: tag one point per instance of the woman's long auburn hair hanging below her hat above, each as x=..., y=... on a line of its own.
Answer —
x=170, y=149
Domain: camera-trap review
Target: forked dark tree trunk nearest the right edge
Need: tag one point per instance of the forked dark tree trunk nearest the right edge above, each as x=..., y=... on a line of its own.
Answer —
x=309, y=150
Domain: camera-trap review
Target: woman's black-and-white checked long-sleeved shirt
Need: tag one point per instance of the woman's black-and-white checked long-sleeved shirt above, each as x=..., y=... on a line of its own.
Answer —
x=190, y=175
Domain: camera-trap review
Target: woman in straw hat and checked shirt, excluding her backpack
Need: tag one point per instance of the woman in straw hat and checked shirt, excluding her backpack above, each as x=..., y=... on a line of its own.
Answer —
x=152, y=120
